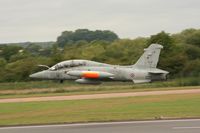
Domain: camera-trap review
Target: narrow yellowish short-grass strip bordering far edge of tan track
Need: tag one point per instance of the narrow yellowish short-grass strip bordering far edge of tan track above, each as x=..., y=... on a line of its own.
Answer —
x=85, y=90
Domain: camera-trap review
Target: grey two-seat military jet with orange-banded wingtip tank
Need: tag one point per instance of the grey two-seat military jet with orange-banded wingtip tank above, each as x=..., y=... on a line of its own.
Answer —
x=91, y=72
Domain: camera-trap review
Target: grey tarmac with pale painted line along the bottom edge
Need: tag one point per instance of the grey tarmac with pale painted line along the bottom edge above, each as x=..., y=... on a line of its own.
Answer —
x=159, y=126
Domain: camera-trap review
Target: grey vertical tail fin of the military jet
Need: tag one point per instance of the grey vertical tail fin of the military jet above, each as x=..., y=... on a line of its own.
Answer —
x=150, y=57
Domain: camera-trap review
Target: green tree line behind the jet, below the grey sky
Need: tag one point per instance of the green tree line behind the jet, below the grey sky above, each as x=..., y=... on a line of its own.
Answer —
x=180, y=56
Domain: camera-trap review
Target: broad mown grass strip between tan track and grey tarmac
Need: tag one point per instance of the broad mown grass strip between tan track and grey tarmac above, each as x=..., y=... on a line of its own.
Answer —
x=115, y=109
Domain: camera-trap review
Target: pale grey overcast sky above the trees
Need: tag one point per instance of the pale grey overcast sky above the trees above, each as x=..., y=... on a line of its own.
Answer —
x=44, y=20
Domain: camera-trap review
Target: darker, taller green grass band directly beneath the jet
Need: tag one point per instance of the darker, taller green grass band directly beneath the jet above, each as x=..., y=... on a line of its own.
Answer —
x=189, y=81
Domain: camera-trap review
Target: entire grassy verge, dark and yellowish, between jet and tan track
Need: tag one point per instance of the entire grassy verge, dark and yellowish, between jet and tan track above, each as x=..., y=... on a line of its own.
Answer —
x=52, y=88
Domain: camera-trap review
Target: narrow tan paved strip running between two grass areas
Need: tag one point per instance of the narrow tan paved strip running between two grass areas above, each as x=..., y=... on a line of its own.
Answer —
x=99, y=96
